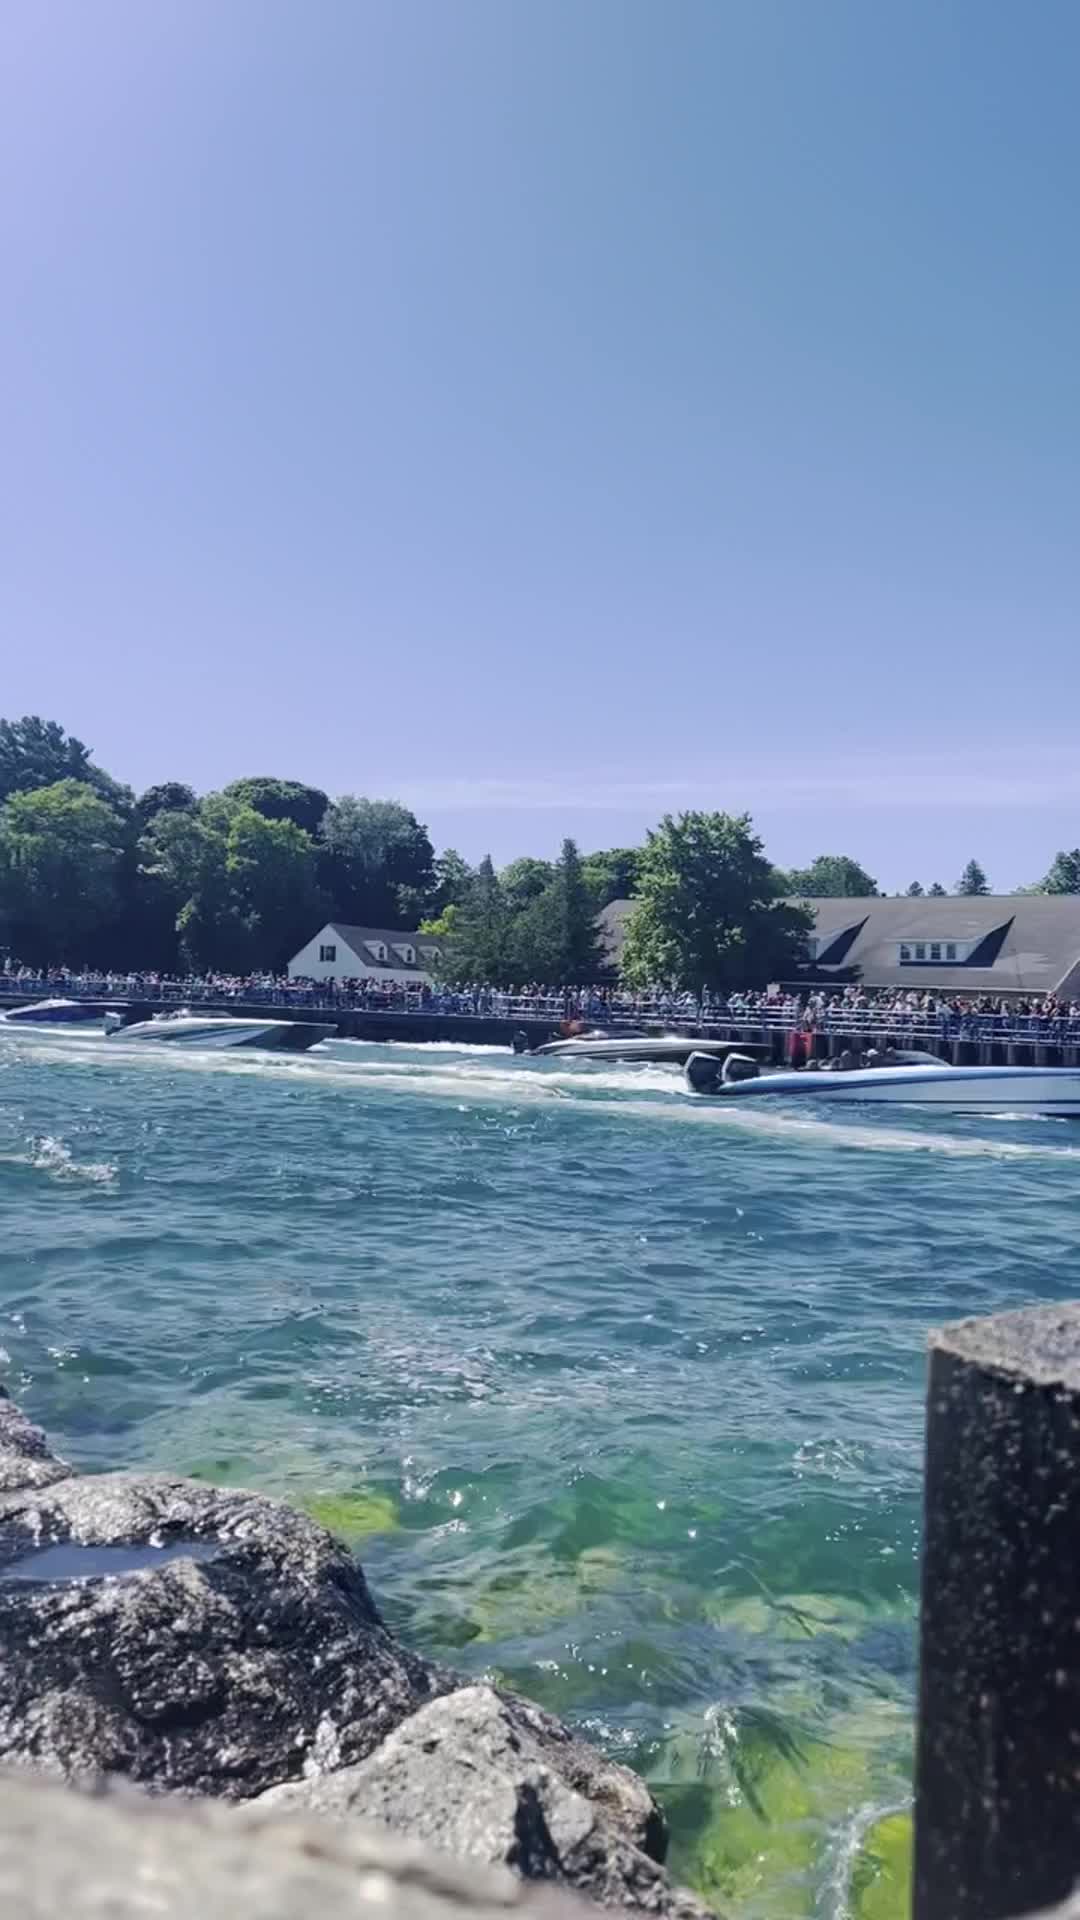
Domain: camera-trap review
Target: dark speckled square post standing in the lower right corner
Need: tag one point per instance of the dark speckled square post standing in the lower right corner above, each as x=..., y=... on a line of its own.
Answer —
x=998, y=1765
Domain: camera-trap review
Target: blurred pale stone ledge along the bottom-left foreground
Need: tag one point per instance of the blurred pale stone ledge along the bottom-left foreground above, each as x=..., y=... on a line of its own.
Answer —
x=130, y=1858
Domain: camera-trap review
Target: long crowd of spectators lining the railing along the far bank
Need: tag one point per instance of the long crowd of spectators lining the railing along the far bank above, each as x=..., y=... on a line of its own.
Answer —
x=810, y=1009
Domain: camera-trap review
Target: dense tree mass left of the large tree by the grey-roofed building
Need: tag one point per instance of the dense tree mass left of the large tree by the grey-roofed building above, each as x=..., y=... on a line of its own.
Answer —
x=241, y=878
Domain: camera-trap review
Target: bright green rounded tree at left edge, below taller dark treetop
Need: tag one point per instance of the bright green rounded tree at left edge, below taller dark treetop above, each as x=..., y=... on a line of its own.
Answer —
x=61, y=857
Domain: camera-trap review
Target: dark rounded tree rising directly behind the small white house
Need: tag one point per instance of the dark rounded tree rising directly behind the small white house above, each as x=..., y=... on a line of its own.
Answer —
x=378, y=865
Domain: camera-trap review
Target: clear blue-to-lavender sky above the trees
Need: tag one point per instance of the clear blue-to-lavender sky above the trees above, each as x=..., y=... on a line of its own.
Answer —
x=556, y=412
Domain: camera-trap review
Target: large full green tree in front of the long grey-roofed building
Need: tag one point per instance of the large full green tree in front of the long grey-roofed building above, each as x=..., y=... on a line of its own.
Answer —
x=708, y=909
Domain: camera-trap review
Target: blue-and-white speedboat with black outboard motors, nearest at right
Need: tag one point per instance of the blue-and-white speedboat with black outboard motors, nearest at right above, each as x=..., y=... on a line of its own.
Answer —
x=1052, y=1092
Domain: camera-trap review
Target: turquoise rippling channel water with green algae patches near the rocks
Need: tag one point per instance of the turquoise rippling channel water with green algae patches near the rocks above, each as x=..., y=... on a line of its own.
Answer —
x=616, y=1393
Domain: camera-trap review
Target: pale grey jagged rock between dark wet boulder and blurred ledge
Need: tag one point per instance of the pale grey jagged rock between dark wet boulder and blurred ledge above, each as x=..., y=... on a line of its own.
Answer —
x=493, y=1779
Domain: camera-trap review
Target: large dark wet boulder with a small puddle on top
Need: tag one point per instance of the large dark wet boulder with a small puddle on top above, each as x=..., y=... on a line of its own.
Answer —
x=222, y=1675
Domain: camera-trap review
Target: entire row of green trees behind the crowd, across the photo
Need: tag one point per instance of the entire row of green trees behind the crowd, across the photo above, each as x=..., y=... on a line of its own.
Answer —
x=239, y=880
